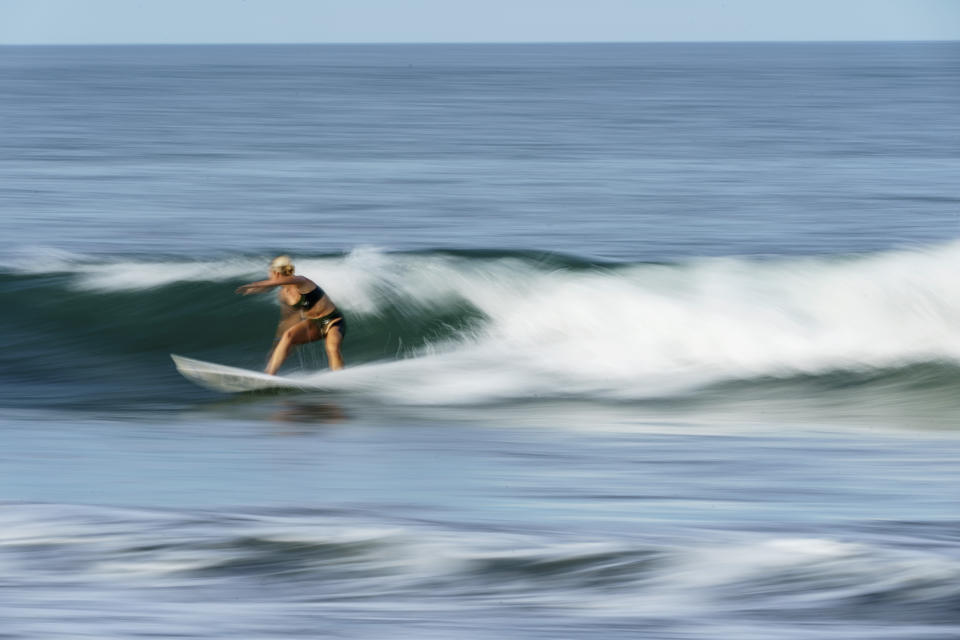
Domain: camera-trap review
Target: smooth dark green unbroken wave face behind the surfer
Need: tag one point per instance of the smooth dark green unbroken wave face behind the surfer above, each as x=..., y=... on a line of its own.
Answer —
x=72, y=335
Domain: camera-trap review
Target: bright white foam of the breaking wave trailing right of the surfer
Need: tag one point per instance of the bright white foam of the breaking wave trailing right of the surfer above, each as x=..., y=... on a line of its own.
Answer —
x=645, y=330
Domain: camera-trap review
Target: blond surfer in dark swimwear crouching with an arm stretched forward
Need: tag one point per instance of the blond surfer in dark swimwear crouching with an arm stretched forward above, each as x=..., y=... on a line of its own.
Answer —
x=309, y=314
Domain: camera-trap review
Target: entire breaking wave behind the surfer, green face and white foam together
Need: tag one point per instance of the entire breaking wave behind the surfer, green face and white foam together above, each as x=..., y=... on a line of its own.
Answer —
x=468, y=327
